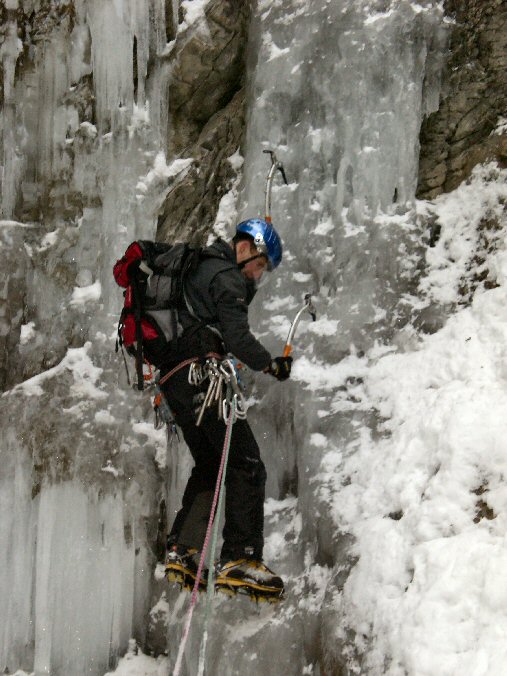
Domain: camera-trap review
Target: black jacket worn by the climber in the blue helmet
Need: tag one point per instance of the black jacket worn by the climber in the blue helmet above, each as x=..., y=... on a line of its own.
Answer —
x=219, y=294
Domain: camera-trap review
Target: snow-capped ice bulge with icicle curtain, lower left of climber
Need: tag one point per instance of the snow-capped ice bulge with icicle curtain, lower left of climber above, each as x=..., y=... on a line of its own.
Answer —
x=78, y=489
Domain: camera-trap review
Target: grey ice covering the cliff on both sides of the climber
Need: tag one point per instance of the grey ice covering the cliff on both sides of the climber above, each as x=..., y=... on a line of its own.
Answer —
x=338, y=90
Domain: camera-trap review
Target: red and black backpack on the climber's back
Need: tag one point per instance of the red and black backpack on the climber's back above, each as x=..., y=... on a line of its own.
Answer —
x=152, y=274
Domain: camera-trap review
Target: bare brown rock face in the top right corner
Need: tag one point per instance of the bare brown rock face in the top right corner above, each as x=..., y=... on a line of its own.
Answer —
x=459, y=135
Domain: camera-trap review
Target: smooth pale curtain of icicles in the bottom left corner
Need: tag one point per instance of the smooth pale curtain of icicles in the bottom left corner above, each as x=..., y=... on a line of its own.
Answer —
x=67, y=558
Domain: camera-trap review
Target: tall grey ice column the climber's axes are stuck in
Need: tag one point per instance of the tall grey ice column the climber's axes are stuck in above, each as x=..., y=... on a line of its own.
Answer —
x=338, y=89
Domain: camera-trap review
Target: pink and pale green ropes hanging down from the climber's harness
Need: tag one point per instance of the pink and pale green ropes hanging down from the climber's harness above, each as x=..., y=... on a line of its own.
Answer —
x=217, y=498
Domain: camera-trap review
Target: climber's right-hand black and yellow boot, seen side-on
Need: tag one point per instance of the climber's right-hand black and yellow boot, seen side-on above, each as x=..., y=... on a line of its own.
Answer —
x=248, y=576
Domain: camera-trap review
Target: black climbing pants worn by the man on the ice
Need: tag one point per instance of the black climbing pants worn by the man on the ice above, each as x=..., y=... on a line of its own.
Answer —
x=245, y=478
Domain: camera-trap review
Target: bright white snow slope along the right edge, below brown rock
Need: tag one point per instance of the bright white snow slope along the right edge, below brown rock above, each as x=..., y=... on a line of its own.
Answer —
x=423, y=492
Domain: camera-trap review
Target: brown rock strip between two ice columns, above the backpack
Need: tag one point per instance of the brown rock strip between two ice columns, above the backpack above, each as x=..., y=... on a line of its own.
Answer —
x=207, y=119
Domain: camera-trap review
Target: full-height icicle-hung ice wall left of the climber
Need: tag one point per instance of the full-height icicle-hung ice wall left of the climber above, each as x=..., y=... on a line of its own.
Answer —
x=83, y=169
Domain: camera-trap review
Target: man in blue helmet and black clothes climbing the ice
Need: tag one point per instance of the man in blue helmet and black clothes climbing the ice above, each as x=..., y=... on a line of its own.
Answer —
x=219, y=292
